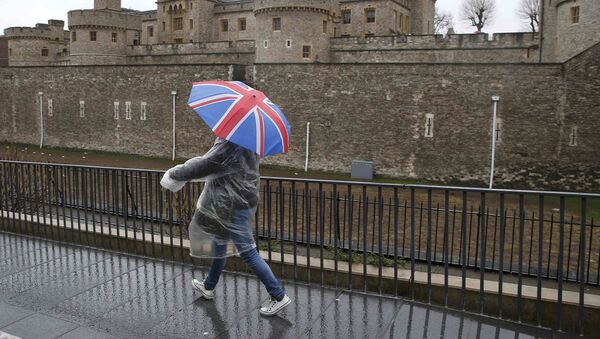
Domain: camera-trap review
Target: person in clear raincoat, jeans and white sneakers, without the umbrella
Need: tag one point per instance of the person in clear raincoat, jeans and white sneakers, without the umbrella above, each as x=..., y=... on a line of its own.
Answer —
x=222, y=223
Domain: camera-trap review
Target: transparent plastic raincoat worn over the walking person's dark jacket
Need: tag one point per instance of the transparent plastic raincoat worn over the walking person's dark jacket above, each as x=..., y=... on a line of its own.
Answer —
x=228, y=200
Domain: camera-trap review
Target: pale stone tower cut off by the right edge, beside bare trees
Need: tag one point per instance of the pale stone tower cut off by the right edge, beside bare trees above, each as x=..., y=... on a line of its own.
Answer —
x=568, y=28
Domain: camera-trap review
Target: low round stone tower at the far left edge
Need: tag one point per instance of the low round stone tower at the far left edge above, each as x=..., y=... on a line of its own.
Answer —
x=41, y=45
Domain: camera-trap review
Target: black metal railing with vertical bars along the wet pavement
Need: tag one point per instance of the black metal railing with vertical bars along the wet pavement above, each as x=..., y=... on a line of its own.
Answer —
x=530, y=238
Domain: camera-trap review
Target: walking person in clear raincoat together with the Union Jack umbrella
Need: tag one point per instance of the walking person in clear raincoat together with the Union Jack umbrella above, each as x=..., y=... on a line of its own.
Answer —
x=248, y=126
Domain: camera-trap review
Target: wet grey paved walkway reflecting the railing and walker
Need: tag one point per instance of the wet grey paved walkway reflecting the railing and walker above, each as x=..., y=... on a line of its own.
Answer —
x=53, y=290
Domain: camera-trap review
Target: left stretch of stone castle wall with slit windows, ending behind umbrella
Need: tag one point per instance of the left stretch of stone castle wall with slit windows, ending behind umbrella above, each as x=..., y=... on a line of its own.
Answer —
x=99, y=87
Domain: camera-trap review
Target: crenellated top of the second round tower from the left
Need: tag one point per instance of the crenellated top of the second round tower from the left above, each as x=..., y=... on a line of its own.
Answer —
x=104, y=19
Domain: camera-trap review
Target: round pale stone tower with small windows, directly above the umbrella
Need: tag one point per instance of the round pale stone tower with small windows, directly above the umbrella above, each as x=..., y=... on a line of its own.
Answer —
x=293, y=30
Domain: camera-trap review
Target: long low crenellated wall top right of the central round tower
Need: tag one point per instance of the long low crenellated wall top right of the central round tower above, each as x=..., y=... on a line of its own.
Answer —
x=451, y=41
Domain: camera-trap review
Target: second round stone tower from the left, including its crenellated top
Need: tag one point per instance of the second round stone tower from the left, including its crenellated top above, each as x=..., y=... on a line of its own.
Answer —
x=102, y=36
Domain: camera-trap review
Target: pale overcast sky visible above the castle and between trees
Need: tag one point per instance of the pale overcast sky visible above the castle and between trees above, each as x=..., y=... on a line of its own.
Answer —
x=29, y=12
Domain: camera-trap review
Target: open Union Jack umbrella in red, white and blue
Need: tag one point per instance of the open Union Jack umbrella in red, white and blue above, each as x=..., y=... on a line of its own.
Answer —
x=239, y=113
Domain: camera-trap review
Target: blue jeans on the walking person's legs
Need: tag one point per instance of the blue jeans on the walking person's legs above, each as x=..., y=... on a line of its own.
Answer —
x=249, y=255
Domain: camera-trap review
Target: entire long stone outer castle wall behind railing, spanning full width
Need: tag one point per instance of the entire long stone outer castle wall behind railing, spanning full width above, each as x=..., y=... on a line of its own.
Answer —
x=361, y=111
